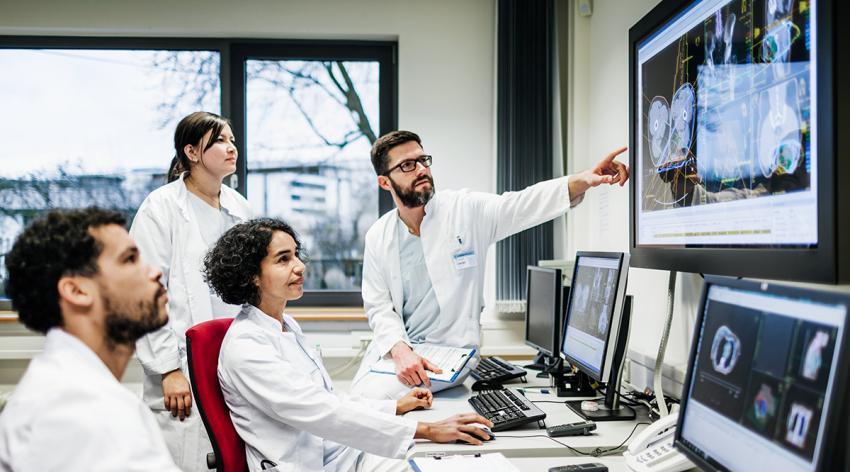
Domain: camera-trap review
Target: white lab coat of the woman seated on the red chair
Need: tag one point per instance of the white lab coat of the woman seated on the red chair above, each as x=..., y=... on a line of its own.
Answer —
x=283, y=405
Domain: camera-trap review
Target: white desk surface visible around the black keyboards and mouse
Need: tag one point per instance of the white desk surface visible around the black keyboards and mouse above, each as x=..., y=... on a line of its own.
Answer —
x=529, y=441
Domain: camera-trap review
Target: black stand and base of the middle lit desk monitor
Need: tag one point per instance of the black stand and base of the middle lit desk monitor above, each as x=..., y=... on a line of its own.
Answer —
x=611, y=409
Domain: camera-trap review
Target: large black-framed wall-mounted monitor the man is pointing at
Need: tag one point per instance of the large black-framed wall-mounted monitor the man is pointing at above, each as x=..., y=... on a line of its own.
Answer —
x=733, y=116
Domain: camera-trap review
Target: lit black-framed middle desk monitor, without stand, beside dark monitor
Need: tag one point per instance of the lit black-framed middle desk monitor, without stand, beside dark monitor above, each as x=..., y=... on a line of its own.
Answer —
x=593, y=311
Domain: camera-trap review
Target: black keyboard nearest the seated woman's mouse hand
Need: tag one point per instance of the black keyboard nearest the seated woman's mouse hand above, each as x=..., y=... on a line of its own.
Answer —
x=506, y=409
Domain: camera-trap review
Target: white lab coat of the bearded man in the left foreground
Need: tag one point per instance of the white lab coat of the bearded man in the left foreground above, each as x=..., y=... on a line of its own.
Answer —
x=69, y=413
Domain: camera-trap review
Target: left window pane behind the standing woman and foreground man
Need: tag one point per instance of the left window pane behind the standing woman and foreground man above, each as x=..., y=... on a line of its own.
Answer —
x=92, y=127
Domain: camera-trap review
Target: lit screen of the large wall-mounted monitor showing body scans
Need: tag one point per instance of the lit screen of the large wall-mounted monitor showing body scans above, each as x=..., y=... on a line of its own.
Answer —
x=726, y=119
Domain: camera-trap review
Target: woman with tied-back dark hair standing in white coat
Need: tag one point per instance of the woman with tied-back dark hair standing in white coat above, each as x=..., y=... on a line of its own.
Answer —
x=174, y=227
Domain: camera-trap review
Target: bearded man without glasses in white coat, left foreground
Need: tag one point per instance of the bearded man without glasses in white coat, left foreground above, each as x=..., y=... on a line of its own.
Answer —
x=77, y=277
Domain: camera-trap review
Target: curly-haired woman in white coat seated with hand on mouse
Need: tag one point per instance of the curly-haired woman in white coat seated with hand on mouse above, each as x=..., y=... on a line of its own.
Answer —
x=281, y=399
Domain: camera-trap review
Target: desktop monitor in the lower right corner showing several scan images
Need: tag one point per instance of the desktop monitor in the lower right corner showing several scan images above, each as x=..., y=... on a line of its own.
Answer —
x=765, y=388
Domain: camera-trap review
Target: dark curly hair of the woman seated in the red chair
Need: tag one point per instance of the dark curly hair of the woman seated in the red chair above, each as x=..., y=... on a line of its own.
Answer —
x=233, y=264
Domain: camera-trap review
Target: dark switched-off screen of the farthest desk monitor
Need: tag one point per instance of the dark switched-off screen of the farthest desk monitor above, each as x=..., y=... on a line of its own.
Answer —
x=542, y=309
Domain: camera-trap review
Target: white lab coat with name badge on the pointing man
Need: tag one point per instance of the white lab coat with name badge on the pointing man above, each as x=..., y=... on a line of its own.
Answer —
x=458, y=229
